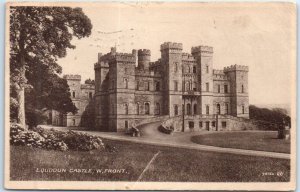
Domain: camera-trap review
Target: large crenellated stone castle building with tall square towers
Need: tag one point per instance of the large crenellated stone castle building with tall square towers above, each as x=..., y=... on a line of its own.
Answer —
x=129, y=88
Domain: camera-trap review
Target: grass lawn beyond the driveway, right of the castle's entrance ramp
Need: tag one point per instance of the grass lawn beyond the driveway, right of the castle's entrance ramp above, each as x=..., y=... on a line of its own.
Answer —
x=260, y=141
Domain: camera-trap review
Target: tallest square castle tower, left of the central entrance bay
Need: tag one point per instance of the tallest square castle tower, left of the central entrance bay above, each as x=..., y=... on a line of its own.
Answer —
x=171, y=58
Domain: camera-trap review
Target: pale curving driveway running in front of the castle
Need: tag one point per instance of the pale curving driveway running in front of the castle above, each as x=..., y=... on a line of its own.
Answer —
x=151, y=135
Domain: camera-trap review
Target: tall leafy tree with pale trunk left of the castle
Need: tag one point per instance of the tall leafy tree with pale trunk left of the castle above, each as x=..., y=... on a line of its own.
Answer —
x=38, y=37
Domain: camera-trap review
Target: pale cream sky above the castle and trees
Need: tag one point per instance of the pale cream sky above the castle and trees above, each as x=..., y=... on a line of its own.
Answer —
x=261, y=36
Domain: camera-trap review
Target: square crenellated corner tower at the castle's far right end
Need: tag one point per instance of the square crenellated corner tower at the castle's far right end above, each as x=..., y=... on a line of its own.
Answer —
x=238, y=76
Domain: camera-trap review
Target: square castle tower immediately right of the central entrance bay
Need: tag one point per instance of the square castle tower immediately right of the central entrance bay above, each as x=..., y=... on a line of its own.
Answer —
x=204, y=58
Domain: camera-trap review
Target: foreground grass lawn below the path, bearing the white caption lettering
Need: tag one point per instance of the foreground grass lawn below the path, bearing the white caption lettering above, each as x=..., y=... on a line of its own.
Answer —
x=172, y=164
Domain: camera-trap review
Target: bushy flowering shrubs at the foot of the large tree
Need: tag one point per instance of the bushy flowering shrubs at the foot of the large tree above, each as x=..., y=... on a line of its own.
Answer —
x=54, y=140
